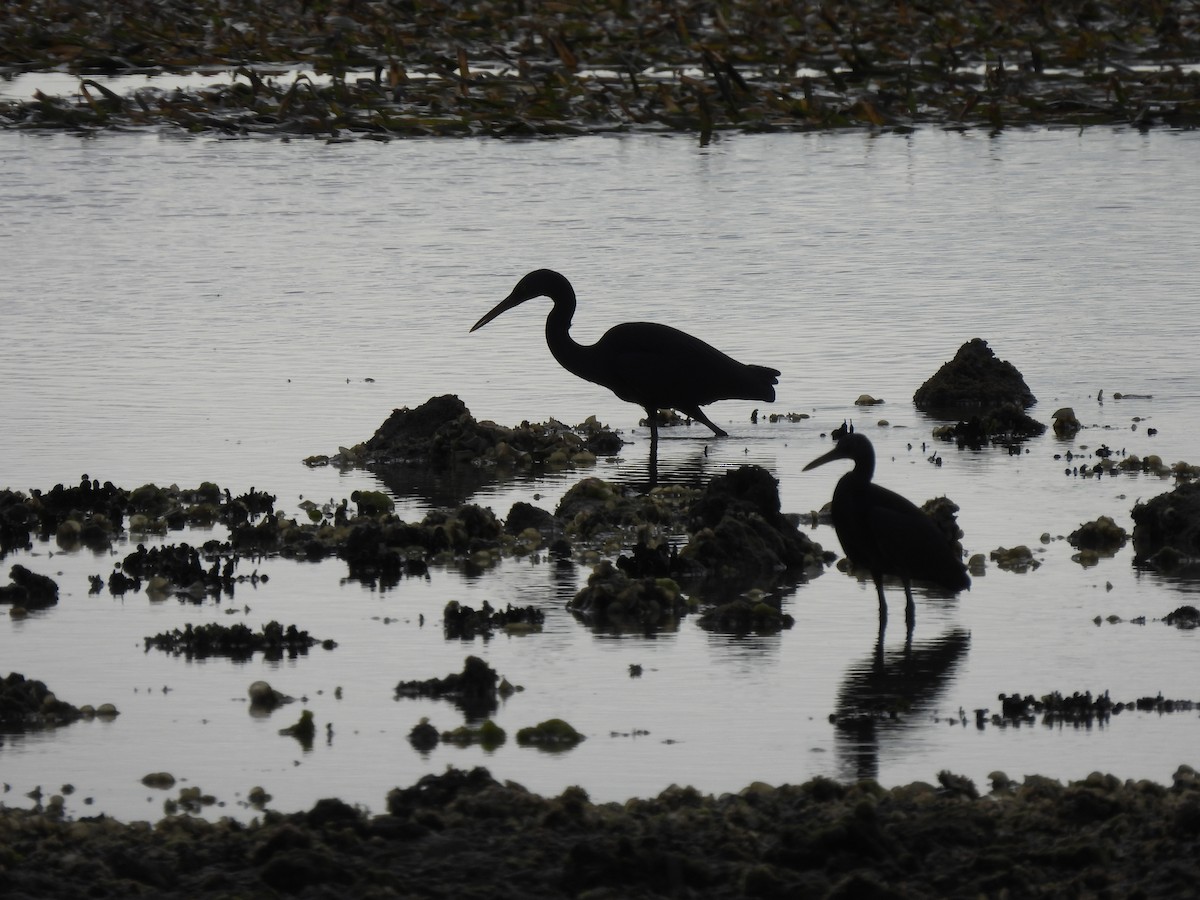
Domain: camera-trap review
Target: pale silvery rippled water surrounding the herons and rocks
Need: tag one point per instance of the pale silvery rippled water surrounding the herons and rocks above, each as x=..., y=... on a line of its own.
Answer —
x=183, y=310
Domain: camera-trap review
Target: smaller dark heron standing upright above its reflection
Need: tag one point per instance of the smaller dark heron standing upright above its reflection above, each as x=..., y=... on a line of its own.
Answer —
x=886, y=533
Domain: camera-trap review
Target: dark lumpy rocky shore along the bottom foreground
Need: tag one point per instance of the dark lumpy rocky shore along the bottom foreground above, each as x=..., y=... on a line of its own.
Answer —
x=463, y=835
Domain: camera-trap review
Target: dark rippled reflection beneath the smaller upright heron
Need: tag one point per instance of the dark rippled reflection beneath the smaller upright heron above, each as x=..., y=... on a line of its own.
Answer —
x=884, y=697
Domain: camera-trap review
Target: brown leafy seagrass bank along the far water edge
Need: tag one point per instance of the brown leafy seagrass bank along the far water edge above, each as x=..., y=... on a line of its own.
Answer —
x=512, y=69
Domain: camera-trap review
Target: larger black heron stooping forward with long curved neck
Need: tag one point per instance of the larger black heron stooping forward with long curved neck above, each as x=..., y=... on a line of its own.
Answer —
x=655, y=367
